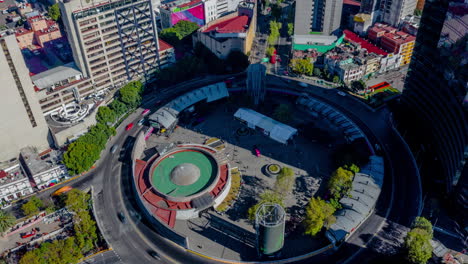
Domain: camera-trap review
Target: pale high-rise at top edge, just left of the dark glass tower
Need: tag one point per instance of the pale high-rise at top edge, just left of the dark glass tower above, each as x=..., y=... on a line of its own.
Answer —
x=393, y=11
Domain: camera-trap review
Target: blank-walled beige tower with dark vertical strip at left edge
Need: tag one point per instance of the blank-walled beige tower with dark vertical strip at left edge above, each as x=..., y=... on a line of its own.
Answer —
x=22, y=122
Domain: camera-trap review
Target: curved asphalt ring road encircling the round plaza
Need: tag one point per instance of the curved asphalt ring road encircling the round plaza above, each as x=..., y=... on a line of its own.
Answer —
x=132, y=241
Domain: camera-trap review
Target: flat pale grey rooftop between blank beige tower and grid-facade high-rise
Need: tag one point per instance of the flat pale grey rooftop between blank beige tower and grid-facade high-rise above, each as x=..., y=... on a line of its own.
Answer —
x=50, y=77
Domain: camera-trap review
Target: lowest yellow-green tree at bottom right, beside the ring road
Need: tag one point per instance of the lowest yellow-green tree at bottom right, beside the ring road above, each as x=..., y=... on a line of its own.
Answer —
x=417, y=243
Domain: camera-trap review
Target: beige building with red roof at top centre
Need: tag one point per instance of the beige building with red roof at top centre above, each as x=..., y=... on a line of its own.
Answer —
x=229, y=33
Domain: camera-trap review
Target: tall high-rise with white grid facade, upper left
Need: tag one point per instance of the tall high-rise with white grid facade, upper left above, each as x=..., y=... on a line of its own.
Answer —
x=112, y=41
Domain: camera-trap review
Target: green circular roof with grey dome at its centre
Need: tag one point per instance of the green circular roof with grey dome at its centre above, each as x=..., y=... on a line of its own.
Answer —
x=184, y=173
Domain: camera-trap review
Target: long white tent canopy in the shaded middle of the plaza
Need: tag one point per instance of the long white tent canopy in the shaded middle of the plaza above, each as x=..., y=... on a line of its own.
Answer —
x=276, y=130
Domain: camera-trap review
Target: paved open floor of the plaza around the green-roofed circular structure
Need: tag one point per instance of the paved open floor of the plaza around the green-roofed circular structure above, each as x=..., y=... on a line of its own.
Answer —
x=230, y=235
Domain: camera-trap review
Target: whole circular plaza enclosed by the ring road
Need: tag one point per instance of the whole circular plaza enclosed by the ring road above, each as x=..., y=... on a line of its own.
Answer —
x=204, y=159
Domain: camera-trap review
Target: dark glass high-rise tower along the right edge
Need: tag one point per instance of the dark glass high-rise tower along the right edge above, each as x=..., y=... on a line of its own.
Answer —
x=434, y=103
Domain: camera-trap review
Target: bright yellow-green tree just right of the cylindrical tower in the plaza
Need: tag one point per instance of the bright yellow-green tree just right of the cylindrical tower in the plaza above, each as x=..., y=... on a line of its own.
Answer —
x=318, y=214
